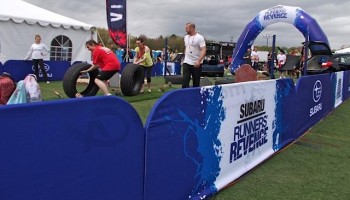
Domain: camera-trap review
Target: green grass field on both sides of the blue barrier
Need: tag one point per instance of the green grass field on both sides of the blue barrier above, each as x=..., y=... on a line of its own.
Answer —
x=315, y=167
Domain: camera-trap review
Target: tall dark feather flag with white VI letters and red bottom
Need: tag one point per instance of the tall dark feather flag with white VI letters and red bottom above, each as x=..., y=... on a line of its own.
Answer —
x=116, y=20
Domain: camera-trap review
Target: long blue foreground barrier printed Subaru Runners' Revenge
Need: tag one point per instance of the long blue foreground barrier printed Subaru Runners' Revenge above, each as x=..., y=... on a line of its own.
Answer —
x=195, y=141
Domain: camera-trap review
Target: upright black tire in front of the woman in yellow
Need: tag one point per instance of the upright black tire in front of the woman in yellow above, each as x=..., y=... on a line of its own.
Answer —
x=131, y=79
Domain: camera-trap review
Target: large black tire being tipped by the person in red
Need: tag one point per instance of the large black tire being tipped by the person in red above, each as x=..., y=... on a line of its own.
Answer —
x=70, y=81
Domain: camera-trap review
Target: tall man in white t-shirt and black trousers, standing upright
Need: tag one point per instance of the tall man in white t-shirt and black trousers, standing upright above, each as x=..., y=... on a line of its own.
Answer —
x=195, y=50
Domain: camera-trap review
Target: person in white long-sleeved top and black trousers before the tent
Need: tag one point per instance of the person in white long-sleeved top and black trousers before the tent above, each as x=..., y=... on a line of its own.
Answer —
x=37, y=52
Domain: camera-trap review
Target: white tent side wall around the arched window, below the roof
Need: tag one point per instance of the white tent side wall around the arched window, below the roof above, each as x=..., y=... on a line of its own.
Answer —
x=16, y=38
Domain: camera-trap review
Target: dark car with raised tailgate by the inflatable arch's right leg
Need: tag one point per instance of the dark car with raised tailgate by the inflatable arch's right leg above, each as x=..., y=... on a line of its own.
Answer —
x=320, y=59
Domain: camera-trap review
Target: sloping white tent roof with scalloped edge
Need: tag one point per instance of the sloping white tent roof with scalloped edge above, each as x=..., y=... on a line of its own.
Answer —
x=20, y=11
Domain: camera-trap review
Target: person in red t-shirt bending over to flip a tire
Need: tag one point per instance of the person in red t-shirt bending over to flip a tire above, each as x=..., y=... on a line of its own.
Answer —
x=104, y=59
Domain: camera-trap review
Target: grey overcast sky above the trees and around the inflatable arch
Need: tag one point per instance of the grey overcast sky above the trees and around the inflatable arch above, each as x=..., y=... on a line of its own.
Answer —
x=219, y=20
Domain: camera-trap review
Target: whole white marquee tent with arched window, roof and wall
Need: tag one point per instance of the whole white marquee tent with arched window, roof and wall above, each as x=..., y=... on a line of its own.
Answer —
x=21, y=21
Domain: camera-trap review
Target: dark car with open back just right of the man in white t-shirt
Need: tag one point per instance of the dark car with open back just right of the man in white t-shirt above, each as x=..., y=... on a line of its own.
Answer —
x=213, y=65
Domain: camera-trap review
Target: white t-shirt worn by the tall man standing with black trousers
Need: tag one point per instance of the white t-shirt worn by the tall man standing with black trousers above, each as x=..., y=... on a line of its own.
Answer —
x=193, y=45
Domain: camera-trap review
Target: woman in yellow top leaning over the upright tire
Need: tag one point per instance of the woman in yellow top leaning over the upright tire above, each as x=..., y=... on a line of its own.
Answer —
x=143, y=58
